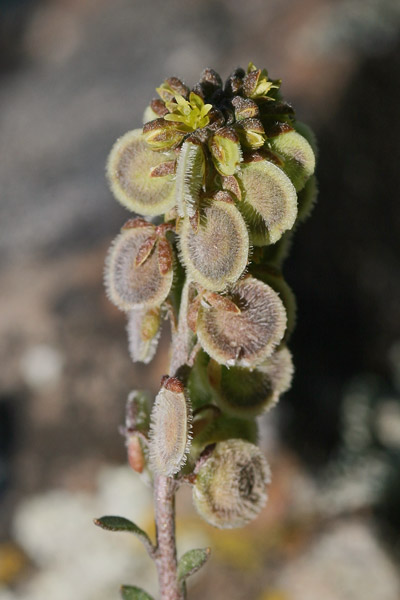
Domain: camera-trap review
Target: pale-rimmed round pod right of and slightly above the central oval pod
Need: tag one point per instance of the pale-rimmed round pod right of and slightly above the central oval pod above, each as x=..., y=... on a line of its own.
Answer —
x=270, y=201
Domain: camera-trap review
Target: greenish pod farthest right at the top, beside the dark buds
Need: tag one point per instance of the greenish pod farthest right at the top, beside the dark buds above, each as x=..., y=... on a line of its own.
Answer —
x=298, y=157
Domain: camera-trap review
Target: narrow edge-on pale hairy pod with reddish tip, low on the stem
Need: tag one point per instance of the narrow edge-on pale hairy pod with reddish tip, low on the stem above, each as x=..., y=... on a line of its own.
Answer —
x=170, y=430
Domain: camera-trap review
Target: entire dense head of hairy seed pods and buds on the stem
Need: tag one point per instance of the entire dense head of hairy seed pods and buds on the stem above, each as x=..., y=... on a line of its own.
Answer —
x=221, y=174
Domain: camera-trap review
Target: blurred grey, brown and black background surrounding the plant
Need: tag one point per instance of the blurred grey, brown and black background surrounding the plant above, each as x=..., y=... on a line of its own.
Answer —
x=76, y=74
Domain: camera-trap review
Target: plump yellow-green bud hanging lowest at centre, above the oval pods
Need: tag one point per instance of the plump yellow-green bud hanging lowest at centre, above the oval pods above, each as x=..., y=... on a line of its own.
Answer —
x=225, y=151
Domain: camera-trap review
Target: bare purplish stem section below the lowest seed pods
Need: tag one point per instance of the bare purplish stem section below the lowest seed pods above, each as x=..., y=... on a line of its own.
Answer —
x=164, y=500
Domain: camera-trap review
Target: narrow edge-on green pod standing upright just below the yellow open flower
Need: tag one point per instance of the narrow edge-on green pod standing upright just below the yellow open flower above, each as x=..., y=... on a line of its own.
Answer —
x=190, y=173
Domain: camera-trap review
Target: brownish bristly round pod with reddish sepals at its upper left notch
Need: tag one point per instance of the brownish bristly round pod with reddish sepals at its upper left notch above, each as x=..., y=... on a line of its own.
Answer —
x=247, y=338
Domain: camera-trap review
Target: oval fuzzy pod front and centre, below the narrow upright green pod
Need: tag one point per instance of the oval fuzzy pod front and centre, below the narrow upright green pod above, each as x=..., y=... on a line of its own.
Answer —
x=216, y=255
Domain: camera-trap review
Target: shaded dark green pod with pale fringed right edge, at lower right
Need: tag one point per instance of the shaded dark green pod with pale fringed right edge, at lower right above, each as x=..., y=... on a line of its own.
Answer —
x=247, y=393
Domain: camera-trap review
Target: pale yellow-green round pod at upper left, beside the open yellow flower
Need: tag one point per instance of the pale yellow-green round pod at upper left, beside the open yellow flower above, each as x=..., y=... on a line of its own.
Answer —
x=129, y=168
